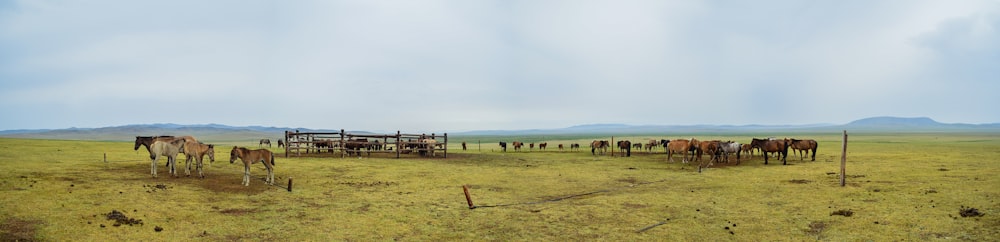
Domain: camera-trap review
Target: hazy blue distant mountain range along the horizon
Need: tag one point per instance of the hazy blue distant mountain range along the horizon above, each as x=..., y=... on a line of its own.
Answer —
x=219, y=132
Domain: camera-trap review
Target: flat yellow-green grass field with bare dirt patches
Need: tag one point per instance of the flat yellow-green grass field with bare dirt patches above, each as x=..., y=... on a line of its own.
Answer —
x=899, y=187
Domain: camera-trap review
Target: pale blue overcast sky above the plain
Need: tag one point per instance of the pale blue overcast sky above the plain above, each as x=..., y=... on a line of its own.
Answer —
x=456, y=65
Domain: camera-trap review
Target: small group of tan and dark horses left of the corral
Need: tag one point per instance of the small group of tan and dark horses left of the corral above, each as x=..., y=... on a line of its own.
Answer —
x=170, y=146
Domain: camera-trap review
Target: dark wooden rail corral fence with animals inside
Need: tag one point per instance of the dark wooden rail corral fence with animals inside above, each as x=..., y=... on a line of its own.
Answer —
x=348, y=144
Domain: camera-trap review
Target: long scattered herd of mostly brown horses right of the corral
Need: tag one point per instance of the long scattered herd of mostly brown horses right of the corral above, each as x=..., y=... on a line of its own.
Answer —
x=720, y=151
